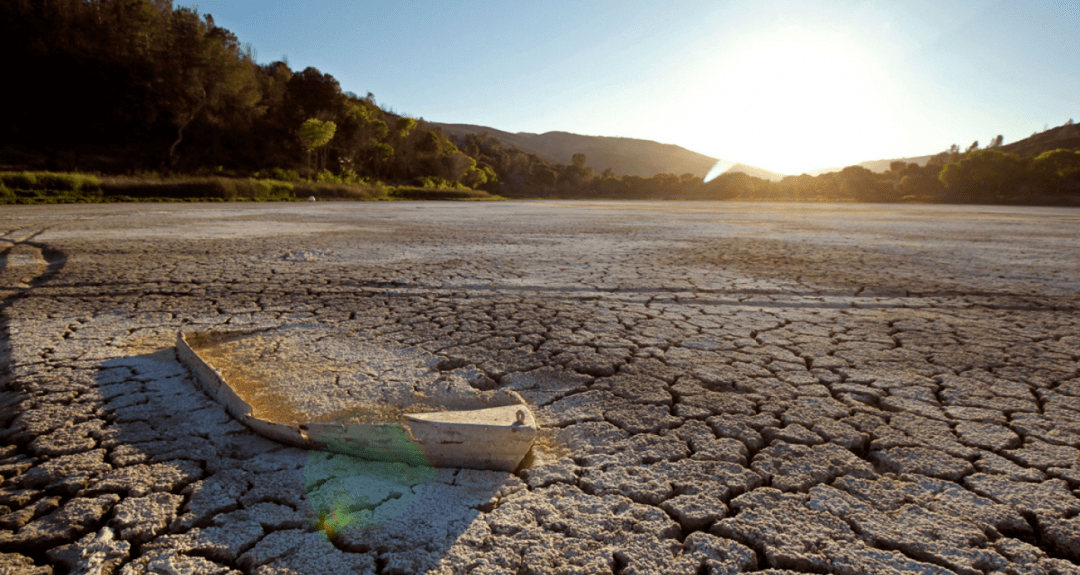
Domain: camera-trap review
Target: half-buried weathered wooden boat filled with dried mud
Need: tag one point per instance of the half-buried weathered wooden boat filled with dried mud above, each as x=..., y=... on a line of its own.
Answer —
x=318, y=389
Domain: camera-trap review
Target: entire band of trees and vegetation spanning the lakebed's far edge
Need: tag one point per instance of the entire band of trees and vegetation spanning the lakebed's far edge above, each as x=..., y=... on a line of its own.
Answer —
x=121, y=88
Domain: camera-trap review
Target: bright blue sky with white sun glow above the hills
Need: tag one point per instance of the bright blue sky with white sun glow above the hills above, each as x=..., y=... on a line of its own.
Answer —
x=786, y=86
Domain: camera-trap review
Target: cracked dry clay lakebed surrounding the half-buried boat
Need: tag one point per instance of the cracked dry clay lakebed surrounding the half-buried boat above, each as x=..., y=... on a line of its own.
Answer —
x=723, y=387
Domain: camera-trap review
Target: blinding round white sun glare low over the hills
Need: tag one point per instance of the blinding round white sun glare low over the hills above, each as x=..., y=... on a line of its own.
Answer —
x=793, y=101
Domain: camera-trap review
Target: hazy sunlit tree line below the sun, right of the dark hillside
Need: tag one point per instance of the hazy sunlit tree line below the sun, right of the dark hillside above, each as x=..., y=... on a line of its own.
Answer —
x=953, y=177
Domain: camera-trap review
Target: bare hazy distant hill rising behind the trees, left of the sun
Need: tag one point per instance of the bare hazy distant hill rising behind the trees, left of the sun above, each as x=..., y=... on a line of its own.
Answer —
x=625, y=156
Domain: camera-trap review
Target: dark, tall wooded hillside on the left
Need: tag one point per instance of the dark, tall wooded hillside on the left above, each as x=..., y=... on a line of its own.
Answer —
x=121, y=86
